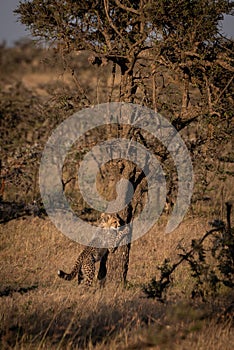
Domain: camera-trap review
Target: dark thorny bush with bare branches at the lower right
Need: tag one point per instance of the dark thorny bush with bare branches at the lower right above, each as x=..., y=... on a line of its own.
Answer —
x=207, y=277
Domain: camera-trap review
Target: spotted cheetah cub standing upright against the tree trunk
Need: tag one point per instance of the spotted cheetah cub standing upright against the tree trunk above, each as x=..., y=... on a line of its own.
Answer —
x=85, y=264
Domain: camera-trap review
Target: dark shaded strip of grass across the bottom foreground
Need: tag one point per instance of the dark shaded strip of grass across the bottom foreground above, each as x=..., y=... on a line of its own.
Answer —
x=85, y=323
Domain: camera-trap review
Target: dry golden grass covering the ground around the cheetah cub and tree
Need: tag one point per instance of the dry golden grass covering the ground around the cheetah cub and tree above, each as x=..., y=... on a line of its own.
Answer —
x=40, y=311
